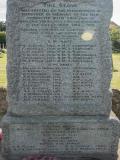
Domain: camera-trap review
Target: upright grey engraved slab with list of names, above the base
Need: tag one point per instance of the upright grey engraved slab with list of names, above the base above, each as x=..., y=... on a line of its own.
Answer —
x=59, y=57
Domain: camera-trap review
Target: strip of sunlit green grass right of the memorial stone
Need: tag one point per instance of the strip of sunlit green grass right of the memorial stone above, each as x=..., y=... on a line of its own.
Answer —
x=116, y=75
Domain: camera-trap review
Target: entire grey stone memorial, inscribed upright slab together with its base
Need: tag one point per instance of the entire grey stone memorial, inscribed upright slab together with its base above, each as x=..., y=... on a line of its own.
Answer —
x=59, y=69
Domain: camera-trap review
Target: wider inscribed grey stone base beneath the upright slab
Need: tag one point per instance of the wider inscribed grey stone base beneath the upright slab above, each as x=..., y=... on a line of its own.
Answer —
x=68, y=138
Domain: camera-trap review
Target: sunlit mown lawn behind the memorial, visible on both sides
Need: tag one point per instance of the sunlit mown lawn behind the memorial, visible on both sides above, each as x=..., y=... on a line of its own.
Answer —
x=114, y=84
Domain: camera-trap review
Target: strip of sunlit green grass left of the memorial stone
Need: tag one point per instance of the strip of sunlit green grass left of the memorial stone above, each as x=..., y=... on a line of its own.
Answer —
x=3, y=79
